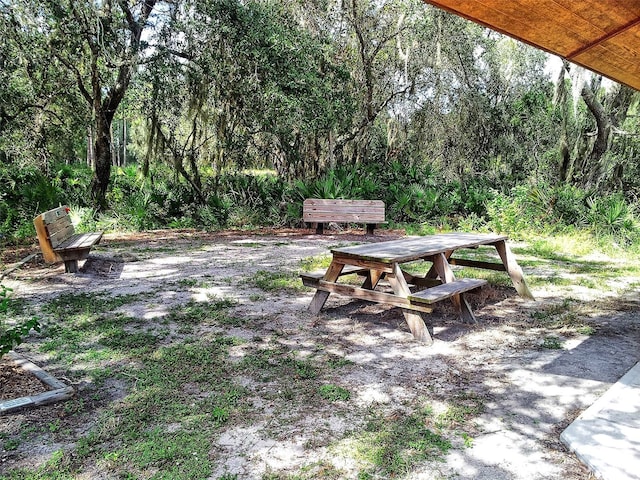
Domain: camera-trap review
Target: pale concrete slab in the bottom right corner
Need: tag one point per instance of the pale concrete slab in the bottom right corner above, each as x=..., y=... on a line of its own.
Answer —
x=606, y=436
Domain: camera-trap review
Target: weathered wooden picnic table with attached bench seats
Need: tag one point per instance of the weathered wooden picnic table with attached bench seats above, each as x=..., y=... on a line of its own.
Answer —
x=376, y=261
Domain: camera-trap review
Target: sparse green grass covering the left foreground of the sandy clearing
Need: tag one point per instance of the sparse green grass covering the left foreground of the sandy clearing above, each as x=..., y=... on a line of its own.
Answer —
x=177, y=395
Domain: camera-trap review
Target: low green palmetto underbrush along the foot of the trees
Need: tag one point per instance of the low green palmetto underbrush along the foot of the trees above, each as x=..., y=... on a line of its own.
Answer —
x=418, y=201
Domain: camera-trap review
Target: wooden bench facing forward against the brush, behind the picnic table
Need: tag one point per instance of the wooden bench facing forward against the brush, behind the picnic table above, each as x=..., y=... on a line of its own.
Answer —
x=320, y=211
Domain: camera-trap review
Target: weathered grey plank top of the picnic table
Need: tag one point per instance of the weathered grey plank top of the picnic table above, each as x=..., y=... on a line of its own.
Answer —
x=415, y=248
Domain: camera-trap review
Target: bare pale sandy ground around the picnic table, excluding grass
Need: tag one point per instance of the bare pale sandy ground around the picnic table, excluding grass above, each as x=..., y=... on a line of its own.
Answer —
x=531, y=393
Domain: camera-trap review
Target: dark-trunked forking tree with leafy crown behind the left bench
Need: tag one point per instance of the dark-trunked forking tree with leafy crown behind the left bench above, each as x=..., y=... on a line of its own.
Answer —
x=97, y=45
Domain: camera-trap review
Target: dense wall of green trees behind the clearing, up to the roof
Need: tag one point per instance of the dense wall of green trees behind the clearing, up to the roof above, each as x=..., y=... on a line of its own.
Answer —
x=381, y=99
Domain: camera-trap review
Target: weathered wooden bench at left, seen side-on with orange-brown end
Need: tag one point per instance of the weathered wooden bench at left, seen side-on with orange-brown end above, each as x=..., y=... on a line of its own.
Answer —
x=58, y=240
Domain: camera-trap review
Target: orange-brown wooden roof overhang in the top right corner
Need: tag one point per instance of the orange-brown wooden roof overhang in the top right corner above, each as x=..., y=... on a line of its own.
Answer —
x=601, y=35
